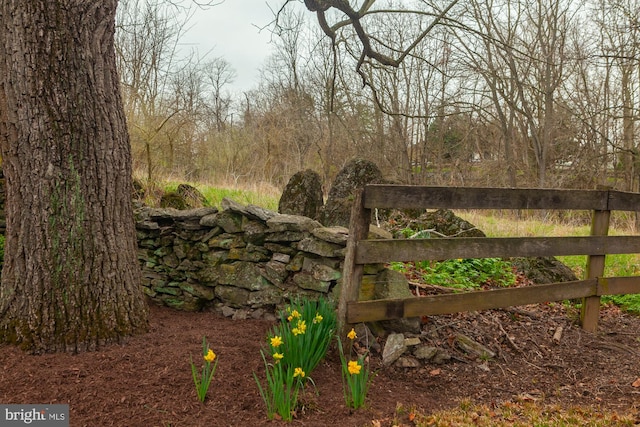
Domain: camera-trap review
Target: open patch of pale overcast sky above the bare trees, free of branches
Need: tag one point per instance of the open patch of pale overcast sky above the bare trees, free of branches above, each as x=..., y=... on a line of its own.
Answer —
x=231, y=30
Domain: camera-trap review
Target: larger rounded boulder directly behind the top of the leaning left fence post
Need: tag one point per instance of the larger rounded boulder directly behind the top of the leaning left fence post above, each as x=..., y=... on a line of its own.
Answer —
x=355, y=174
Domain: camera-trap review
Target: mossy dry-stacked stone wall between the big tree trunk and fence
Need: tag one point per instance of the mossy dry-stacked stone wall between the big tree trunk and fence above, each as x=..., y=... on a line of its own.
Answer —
x=243, y=257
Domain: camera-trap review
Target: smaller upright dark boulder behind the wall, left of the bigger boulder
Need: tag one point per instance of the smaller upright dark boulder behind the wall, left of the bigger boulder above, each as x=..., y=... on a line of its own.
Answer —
x=302, y=195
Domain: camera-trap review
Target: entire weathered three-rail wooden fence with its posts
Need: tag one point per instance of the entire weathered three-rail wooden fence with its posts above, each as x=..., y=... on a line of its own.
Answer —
x=596, y=246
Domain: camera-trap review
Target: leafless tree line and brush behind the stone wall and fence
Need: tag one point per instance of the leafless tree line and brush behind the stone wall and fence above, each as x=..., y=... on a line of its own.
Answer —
x=538, y=93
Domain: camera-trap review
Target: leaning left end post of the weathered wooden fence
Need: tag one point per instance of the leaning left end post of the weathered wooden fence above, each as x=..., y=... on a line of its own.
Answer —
x=352, y=272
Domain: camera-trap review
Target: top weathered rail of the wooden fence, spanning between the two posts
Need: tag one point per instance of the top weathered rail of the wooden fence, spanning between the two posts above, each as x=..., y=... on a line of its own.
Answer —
x=425, y=197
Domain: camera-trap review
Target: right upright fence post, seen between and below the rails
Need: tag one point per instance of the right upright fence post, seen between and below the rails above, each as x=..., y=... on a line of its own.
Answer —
x=590, y=312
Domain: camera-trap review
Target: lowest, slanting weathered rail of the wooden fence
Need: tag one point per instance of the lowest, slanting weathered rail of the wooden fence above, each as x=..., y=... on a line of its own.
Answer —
x=368, y=311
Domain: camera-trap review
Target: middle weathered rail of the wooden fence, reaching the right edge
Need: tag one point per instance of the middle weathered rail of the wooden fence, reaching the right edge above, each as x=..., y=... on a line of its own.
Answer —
x=374, y=251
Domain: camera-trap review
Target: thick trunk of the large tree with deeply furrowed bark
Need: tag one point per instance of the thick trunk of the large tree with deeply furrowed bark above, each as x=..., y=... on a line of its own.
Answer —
x=70, y=280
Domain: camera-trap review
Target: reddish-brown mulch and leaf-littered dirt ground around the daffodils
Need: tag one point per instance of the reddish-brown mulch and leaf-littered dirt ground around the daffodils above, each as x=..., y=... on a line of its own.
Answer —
x=147, y=382
